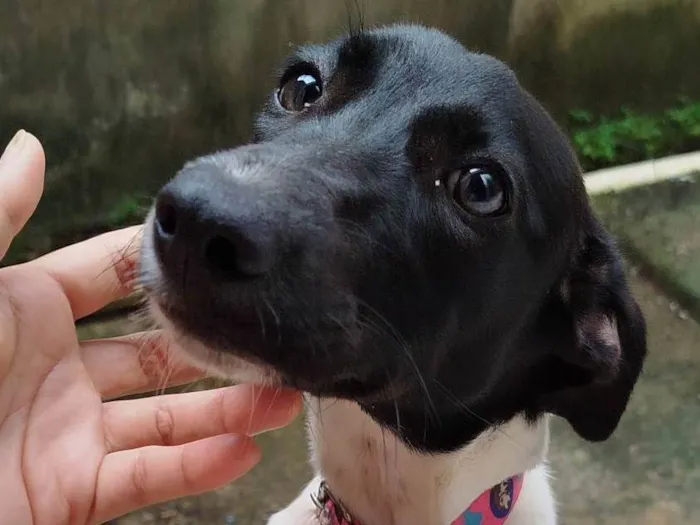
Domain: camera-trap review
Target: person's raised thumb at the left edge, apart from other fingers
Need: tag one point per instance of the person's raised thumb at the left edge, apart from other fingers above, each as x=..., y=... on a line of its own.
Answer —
x=21, y=184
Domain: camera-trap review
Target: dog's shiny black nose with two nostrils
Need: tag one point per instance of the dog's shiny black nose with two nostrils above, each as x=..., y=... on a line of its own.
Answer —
x=211, y=228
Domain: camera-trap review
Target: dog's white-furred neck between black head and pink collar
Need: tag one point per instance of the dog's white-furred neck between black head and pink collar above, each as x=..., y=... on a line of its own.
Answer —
x=383, y=482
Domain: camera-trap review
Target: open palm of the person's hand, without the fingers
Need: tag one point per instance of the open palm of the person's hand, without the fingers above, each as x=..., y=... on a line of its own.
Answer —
x=58, y=412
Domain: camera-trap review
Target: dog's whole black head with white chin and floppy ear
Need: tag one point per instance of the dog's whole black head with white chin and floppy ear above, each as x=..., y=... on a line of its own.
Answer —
x=411, y=231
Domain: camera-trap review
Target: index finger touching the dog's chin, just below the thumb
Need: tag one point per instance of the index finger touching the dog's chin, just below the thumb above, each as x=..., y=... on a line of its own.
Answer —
x=95, y=272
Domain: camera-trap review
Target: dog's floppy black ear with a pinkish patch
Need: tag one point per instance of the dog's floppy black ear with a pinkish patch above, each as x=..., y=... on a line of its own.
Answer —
x=599, y=370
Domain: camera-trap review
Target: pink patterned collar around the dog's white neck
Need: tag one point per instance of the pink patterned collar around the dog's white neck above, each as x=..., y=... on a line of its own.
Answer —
x=491, y=508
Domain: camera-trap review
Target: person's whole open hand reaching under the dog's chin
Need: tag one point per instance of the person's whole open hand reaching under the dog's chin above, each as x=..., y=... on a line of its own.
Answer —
x=67, y=456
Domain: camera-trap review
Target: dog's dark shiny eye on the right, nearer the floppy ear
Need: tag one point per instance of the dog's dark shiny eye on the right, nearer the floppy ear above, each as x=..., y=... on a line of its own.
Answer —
x=479, y=189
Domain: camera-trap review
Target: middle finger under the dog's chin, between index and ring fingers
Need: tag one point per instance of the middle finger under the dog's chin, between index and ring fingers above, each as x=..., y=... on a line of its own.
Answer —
x=133, y=364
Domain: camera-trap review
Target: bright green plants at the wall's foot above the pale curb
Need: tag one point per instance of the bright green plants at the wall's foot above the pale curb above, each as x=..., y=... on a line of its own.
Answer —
x=631, y=136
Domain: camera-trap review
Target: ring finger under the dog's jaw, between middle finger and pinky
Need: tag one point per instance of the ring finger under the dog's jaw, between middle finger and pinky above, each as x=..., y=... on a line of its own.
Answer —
x=181, y=418
